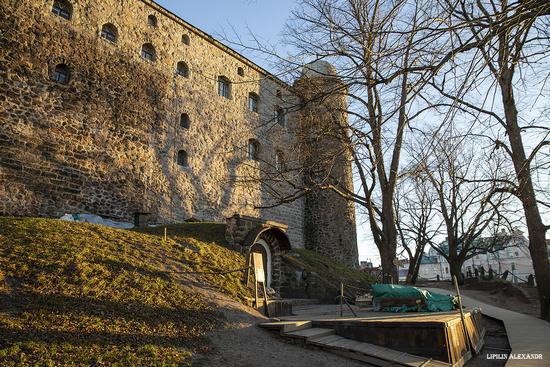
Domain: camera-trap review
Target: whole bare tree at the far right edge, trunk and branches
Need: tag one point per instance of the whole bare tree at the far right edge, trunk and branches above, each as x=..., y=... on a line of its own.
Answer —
x=500, y=81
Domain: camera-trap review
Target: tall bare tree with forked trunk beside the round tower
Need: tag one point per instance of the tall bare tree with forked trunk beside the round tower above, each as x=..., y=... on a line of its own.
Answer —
x=383, y=52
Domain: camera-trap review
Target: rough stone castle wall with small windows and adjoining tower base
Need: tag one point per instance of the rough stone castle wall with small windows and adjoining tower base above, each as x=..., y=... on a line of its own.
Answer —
x=114, y=108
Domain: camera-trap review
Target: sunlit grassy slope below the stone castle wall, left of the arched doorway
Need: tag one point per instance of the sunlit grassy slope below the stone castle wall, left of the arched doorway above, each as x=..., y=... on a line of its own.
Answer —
x=75, y=294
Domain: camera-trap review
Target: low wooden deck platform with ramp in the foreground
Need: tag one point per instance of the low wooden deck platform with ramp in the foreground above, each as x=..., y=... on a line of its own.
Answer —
x=434, y=339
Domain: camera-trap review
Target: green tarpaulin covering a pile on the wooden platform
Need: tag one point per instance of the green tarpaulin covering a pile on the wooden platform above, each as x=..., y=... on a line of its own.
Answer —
x=405, y=298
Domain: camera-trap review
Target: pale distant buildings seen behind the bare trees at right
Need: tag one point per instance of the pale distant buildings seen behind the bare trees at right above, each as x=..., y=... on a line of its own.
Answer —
x=512, y=256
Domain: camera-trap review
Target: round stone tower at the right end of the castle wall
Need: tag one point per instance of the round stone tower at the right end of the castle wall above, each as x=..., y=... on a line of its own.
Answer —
x=323, y=136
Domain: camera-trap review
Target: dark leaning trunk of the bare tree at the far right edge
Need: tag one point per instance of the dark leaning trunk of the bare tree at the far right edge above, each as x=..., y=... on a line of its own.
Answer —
x=526, y=194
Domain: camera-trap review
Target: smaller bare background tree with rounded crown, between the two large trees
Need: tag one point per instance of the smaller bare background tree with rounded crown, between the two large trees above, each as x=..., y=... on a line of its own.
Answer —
x=467, y=189
